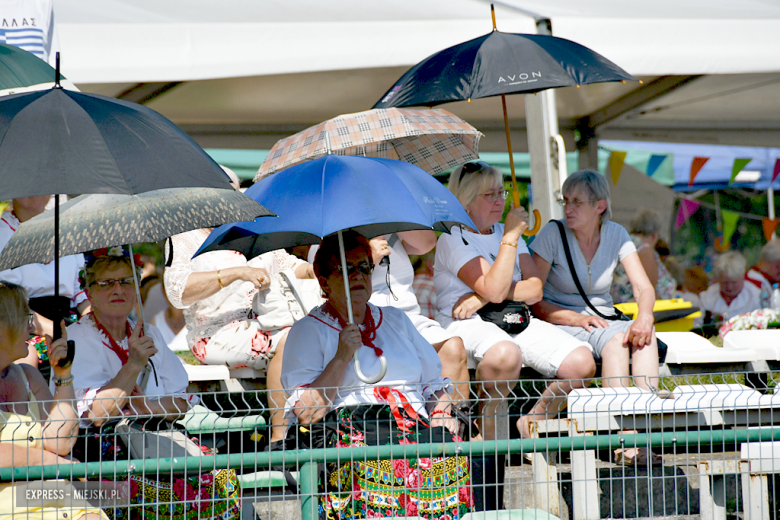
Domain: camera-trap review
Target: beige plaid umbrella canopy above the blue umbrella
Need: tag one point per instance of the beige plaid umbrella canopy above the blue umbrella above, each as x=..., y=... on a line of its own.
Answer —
x=434, y=140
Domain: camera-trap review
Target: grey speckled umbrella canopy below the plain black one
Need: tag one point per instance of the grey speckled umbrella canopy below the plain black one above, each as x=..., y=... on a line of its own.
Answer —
x=93, y=221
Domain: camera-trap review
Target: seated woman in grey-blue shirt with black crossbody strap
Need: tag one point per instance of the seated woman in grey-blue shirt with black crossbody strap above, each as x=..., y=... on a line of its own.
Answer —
x=597, y=246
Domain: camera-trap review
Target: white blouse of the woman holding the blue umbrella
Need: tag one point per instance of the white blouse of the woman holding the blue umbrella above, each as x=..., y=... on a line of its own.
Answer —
x=413, y=367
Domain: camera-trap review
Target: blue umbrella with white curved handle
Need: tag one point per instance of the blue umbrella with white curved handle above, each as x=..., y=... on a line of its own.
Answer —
x=337, y=193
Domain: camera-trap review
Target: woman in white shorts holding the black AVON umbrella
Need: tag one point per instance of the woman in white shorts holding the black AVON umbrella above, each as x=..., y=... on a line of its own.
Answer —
x=492, y=264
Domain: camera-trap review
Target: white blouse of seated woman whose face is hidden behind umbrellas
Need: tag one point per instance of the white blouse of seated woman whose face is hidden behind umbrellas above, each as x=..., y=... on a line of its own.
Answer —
x=233, y=303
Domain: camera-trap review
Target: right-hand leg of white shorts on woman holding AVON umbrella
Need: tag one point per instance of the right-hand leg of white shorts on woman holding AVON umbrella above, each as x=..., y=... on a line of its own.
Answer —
x=545, y=346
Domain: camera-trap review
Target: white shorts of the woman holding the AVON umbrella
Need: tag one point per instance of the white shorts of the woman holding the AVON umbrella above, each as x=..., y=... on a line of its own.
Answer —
x=543, y=345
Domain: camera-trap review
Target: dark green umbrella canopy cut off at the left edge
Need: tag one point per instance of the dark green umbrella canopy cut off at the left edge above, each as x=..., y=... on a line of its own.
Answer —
x=21, y=70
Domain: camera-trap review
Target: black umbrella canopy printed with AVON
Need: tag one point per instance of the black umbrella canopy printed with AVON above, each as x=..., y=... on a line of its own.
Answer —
x=500, y=63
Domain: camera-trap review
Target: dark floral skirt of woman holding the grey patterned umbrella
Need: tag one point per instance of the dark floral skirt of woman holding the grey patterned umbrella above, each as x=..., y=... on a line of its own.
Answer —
x=212, y=495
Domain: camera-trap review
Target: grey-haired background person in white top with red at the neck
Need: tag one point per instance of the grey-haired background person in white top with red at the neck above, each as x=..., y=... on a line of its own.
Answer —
x=730, y=295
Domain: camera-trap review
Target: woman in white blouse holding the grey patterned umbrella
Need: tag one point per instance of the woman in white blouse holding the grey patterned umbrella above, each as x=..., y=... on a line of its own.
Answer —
x=112, y=356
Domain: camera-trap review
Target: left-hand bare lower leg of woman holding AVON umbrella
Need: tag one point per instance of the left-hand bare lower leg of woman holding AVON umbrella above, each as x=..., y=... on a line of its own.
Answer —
x=502, y=363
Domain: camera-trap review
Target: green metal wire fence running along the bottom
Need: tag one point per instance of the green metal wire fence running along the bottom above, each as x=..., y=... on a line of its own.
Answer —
x=717, y=442
